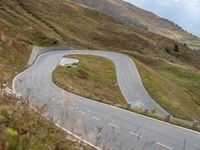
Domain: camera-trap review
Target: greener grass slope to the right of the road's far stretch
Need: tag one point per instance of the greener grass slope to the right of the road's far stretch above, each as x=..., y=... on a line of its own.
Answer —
x=174, y=87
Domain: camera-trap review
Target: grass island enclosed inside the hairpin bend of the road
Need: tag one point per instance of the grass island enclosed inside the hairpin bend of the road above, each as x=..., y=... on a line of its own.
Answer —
x=94, y=78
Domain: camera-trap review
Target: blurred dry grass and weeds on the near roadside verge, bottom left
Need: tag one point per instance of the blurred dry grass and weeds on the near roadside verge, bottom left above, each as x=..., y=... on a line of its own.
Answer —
x=20, y=129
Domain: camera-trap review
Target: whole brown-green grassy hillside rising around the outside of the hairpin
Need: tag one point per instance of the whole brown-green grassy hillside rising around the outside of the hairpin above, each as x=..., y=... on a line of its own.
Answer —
x=24, y=23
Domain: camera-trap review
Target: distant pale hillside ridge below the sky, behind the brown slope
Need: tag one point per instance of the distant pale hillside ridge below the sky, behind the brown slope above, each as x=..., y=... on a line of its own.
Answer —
x=143, y=19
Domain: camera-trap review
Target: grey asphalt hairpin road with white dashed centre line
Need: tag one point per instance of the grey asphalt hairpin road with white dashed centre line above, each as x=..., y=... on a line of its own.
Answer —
x=105, y=126
